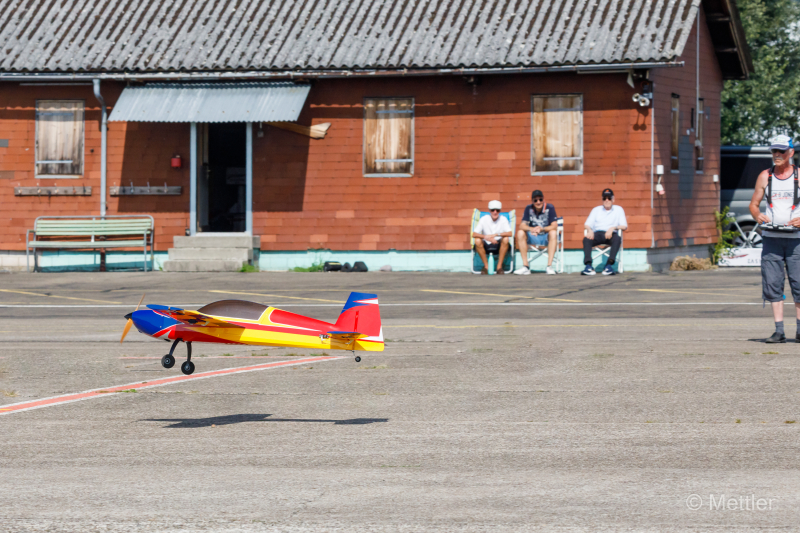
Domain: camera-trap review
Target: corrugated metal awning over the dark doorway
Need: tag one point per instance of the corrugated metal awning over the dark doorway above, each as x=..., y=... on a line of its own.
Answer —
x=211, y=102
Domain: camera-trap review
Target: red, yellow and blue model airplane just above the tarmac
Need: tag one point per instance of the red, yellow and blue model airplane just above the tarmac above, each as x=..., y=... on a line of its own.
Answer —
x=239, y=322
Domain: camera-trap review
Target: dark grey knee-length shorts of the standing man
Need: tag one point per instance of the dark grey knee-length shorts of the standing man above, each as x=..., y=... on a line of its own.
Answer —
x=780, y=256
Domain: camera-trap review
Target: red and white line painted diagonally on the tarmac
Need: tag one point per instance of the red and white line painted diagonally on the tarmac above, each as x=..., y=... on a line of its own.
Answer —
x=97, y=393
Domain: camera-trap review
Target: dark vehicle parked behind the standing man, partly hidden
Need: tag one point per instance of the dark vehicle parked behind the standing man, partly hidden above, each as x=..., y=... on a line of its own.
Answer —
x=739, y=170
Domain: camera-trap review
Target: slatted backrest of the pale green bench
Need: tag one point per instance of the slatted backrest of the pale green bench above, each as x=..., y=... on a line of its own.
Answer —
x=95, y=226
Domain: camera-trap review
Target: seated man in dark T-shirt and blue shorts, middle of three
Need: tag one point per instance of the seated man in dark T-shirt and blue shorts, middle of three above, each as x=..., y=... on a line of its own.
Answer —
x=538, y=227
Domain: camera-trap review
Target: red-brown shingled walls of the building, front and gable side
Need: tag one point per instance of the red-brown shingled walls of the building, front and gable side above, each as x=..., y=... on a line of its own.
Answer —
x=470, y=147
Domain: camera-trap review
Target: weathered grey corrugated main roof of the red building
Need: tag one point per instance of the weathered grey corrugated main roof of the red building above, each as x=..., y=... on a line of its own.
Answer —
x=231, y=35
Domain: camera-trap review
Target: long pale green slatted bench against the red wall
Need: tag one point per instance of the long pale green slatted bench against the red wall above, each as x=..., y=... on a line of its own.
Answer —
x=110, y=232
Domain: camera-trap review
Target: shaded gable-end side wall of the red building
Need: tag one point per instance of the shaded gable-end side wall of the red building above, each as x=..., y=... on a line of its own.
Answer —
x=678, y=221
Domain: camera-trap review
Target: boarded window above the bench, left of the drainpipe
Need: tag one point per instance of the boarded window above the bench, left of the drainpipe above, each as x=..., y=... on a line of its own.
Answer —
x=59, y=138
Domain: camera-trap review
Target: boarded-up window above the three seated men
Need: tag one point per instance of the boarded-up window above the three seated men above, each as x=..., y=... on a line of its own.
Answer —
x=557, y=135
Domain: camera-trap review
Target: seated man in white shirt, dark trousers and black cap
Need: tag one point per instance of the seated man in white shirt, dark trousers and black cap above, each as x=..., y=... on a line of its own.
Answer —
x=601, y=228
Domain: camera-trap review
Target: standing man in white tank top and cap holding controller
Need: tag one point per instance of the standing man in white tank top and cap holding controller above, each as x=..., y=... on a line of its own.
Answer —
x=781, y=248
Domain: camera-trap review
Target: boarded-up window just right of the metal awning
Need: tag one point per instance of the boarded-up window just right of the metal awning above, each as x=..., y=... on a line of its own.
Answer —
x=389, y=137
